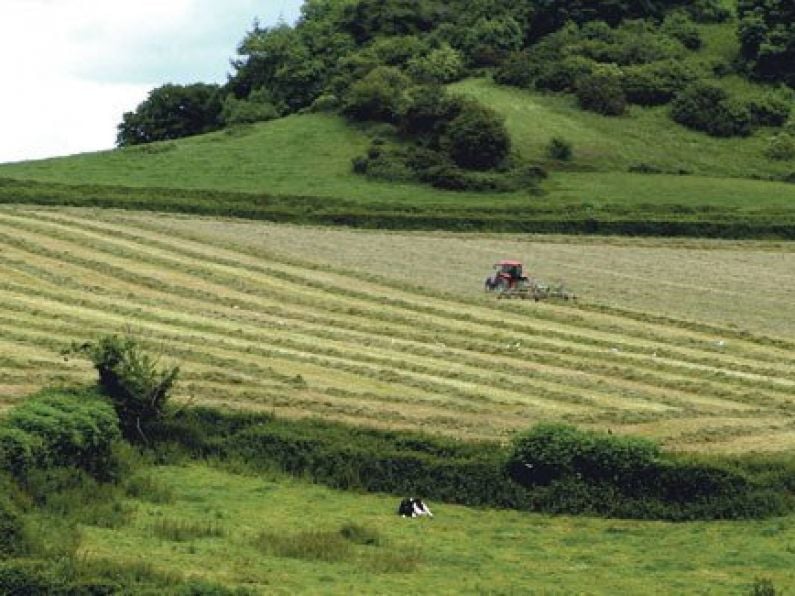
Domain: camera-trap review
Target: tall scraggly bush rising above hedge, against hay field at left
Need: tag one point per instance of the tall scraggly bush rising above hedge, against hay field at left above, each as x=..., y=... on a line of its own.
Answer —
x=130, y=377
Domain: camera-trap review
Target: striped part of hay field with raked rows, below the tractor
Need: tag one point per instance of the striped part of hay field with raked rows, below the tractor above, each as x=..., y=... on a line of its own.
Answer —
x=252, y=328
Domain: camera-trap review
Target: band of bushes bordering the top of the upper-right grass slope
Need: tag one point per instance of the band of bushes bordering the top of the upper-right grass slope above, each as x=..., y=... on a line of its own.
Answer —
x=639, y=62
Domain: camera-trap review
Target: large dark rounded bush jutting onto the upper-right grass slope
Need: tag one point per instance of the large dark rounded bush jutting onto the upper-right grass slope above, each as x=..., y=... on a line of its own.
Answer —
x=708, y=108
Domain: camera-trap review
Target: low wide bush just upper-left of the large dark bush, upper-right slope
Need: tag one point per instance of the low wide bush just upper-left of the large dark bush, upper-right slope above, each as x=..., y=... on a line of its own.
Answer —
x=656, y=83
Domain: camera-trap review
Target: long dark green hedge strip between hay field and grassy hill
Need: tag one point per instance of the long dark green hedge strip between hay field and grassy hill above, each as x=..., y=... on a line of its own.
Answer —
x=643, y=220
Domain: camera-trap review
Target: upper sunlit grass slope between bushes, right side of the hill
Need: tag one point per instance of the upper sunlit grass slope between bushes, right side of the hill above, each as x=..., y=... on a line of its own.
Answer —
x=605, y=144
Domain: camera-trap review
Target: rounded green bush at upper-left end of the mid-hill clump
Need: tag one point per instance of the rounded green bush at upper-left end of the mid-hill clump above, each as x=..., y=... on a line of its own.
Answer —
x=379, y=96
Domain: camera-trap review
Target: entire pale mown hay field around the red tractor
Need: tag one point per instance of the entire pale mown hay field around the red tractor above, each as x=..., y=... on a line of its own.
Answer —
x=393, y=330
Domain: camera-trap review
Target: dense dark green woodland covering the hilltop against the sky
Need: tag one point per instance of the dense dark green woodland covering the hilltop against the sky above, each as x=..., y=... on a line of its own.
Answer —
x=364, y=57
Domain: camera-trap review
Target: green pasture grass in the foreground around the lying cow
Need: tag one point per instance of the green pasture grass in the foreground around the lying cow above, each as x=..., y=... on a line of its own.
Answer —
x=280, y=535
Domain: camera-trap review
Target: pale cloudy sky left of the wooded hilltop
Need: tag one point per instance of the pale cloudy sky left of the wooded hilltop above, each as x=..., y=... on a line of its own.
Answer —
x=71, y=68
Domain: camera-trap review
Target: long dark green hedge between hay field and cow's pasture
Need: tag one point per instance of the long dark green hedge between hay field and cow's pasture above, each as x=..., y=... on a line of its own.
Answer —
x=553, y=468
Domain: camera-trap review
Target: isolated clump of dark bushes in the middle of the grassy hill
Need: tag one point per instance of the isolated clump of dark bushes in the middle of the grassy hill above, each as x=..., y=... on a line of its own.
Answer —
x=446, y=138
